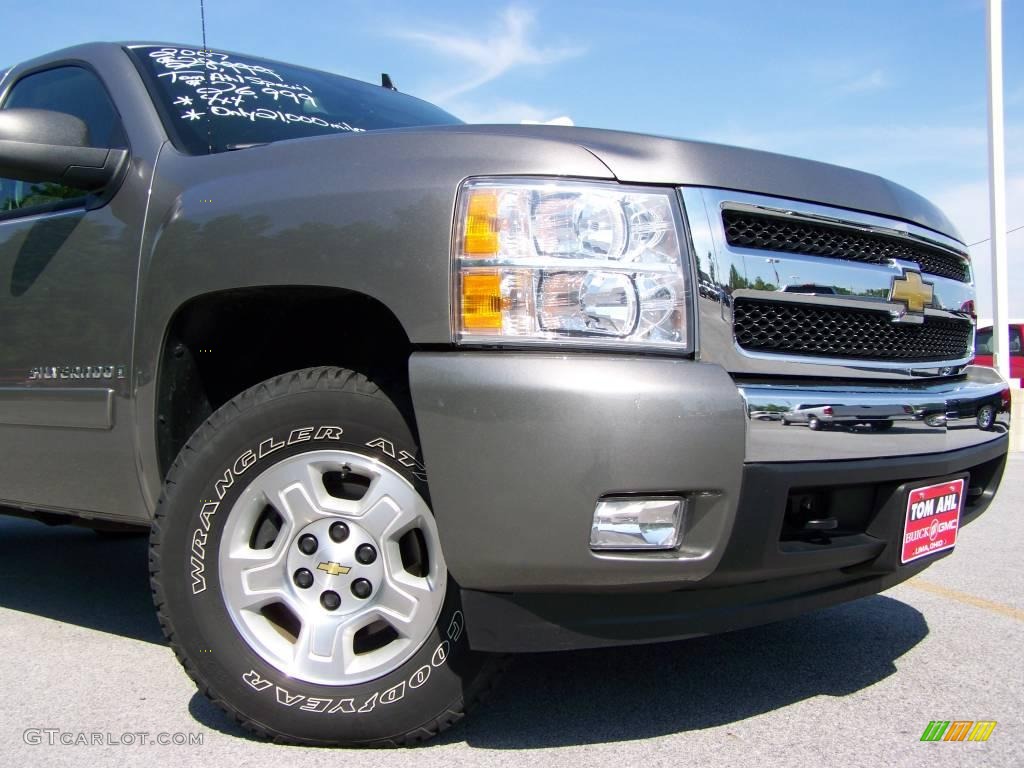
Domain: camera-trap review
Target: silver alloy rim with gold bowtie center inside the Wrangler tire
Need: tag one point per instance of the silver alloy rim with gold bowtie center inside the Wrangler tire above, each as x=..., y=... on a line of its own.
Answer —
x=331, y=568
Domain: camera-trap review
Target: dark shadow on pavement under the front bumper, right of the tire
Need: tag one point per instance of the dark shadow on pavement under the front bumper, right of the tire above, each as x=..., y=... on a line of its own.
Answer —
x=618, y=695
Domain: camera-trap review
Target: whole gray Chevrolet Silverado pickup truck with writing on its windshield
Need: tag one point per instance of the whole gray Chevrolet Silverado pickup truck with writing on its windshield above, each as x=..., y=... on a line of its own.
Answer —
x=398, y=397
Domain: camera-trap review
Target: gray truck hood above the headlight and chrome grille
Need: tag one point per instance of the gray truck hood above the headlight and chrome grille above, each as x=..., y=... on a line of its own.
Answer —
x=637, y=158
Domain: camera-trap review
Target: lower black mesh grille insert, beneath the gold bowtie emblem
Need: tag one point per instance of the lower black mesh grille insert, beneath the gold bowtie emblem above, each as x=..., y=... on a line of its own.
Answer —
x=838, y=332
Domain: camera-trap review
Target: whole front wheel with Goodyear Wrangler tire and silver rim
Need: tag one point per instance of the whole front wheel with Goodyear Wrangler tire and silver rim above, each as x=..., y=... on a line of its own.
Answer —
x=288, y=459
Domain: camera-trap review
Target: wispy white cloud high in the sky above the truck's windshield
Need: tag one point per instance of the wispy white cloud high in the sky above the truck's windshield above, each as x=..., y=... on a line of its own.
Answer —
x=490, y=57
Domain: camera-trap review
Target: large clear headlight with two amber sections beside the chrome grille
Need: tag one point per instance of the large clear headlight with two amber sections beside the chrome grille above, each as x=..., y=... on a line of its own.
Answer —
x=570, y=262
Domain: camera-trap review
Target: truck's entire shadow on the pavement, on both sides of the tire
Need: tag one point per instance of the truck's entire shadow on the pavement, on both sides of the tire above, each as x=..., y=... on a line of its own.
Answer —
x=551, y=700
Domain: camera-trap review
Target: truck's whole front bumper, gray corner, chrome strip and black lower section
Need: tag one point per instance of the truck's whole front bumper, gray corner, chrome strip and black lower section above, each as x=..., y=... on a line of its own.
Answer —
x=520, y=448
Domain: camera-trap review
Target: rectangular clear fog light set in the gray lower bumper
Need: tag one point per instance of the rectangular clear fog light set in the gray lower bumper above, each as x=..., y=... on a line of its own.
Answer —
x=637, y=524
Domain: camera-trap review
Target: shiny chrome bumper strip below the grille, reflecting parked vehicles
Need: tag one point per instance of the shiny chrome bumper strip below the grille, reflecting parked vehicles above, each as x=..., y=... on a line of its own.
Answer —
x=883, y=419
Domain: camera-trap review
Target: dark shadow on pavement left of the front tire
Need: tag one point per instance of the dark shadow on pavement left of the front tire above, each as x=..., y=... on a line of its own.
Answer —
x=72, y=575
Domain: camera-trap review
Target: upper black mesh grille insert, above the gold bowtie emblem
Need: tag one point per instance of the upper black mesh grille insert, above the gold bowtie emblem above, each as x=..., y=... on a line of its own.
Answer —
x=794, y=236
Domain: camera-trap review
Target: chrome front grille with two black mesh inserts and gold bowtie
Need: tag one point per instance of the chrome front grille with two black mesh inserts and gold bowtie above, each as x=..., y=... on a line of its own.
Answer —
x=786, y=302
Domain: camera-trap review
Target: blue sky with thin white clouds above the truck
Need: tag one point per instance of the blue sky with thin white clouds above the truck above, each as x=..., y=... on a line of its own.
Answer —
x=895, y=88
